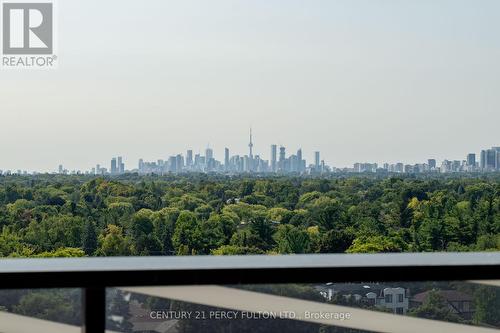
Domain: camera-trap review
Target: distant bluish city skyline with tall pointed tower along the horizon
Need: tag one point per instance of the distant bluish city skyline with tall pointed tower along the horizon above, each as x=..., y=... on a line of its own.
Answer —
x=278, y=159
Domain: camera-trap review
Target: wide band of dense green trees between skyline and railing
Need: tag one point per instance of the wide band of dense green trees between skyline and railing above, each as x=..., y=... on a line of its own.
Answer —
x=54, y=216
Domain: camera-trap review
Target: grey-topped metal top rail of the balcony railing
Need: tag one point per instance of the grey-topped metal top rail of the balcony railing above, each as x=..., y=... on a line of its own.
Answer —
x=189, y=270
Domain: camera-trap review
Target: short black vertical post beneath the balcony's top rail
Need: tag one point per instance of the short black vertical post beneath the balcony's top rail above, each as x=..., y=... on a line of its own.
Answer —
x=94, y=310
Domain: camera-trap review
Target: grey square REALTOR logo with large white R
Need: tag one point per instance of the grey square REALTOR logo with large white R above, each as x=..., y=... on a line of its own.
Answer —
x=28, y=34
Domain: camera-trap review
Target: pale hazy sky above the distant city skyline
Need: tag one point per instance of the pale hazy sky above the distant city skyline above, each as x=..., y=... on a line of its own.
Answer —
x=359, y=80
